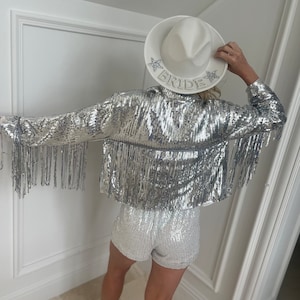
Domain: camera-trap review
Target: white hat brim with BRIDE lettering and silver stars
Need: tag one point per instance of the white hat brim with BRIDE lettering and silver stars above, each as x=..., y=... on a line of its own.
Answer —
x=205, y=80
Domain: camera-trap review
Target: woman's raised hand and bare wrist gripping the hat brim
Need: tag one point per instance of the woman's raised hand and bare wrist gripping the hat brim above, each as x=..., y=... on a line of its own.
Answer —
x=237, y=62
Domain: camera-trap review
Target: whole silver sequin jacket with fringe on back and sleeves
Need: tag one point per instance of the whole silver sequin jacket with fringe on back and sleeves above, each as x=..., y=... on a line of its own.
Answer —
x=161, y=150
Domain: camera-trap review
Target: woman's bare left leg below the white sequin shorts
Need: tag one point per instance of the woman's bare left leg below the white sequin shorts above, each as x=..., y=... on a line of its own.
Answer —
x=113, y=282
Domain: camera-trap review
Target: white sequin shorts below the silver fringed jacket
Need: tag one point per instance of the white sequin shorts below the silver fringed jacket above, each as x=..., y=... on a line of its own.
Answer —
x=170, y=237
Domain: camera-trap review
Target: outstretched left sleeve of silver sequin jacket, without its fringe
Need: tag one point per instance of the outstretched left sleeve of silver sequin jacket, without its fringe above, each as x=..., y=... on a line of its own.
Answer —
x=91, y=123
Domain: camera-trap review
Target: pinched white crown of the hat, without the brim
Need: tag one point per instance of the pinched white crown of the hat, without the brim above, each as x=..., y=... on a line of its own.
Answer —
x=186, y=50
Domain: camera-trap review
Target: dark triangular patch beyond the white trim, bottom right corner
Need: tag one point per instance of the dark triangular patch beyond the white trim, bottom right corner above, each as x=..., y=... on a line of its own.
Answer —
x=290, y=289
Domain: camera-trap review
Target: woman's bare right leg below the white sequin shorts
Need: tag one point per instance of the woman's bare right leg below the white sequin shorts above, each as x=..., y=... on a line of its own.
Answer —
x=162, y=282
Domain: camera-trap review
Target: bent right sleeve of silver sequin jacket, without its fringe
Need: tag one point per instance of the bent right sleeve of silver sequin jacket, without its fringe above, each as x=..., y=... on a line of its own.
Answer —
x=263, y=114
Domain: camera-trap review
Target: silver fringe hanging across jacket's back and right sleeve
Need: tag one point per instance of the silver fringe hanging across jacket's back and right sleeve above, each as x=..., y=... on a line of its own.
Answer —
x=133, y=176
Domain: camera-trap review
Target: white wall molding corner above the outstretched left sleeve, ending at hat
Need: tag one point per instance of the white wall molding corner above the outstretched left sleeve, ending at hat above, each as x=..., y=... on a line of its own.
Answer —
x=20, y=20
